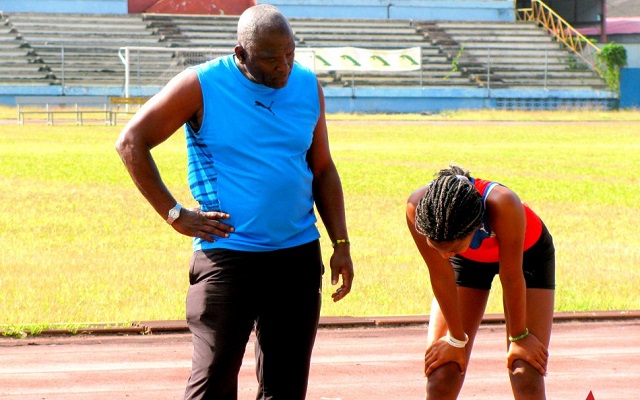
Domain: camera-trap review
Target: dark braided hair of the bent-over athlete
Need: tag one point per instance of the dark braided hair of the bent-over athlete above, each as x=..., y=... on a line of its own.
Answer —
x=451, y=208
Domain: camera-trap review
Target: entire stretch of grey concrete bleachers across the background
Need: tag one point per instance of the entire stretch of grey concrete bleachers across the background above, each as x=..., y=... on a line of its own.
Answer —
x=82, y=50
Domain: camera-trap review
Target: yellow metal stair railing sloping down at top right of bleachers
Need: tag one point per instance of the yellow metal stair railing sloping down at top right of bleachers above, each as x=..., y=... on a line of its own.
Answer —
x=564, y=32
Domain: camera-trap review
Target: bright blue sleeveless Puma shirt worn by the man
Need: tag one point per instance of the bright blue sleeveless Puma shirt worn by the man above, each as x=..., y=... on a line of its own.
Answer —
x=249, y=157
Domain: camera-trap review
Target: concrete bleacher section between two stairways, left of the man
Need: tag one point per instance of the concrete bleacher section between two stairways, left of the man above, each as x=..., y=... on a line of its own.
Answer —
x=79, y=49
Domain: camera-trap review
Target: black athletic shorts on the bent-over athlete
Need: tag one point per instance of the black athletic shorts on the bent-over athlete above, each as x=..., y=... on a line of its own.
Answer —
x=538, y=264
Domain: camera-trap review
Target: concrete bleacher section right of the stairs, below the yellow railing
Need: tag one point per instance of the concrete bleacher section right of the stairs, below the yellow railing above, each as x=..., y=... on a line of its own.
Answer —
x=511, y=55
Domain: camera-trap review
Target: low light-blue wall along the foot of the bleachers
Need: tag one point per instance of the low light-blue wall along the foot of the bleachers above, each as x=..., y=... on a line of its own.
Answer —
x=388, y=100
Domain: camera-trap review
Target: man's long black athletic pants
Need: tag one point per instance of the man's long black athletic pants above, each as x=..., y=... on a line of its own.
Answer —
x=230, y=293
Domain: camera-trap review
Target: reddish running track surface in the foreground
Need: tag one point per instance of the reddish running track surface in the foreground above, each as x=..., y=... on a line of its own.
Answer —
x=358, y=363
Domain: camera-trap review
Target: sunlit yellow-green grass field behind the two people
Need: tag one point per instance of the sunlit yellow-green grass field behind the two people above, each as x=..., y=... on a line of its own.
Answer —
x=81, y=245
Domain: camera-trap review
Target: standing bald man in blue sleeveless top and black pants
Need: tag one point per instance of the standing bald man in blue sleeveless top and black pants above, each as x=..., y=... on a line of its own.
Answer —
x=258, y=163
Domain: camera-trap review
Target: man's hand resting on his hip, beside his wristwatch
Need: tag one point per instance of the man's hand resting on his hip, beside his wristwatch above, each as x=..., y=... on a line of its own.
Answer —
x=204, y=225
